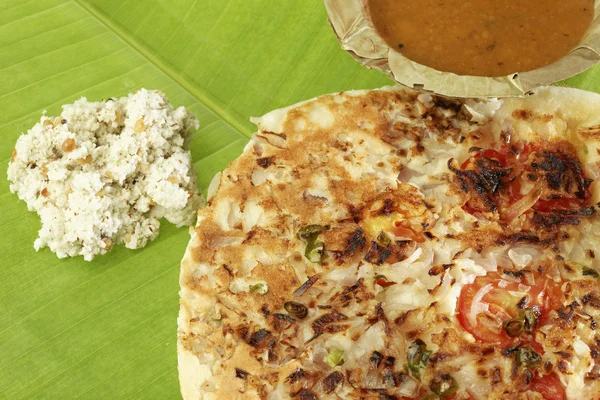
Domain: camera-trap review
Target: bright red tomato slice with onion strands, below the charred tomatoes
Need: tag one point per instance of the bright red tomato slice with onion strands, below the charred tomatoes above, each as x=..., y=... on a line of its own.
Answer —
x=484, y=305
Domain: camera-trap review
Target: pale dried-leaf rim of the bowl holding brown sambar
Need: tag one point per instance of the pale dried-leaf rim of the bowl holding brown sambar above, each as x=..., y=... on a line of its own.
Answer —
x=350, y=20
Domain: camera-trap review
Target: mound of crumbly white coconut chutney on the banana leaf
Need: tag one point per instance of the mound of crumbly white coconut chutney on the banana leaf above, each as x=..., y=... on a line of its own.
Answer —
x=104, y=173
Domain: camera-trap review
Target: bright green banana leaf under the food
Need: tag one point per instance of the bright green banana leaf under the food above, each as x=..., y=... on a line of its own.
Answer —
x=70, y=329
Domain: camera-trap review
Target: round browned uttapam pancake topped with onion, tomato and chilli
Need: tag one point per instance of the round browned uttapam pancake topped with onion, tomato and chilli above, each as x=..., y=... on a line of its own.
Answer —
x=400, y=249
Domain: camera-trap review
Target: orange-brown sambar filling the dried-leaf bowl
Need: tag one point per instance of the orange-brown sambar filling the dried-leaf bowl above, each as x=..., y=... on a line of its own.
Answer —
x=482, y=37
